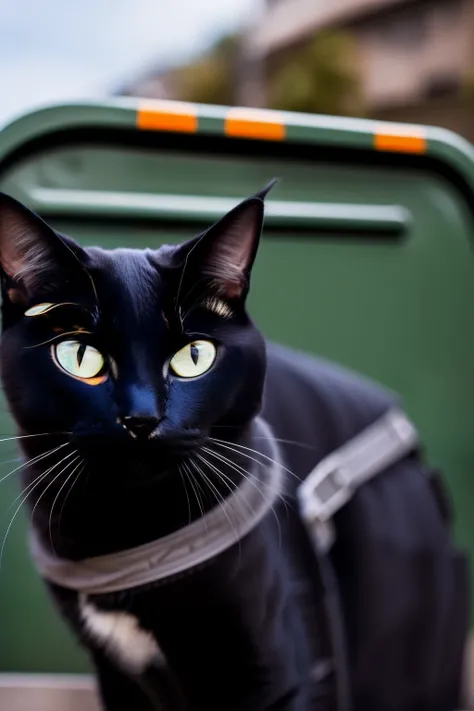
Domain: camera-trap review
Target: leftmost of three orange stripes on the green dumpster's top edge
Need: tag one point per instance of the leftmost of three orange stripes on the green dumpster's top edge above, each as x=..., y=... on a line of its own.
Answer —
x=167, y=116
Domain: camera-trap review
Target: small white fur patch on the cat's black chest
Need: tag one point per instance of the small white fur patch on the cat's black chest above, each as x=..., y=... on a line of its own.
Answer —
x=121, y=636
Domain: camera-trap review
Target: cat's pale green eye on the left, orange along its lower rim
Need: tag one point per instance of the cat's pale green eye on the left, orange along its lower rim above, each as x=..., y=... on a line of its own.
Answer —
x=80, y=360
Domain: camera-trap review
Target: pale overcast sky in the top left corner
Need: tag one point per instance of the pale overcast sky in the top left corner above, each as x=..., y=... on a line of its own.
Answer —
x=56, y=50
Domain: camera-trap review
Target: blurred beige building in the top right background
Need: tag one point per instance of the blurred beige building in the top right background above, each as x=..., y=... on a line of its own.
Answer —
x=415, y=59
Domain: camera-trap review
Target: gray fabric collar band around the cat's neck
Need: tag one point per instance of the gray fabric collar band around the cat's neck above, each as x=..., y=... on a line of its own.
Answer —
x=197, y=543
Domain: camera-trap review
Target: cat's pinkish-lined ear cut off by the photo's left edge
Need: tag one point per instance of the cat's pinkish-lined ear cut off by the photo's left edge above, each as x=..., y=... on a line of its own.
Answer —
x=31, y=253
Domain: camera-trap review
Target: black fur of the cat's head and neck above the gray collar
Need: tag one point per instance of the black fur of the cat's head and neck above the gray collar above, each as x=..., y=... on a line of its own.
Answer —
x=140, y=309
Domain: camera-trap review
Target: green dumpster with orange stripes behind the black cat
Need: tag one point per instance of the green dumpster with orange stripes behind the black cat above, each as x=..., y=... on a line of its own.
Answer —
x=373, y=222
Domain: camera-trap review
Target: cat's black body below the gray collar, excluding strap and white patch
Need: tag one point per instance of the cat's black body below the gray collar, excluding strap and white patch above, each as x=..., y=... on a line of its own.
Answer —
x=377, y=624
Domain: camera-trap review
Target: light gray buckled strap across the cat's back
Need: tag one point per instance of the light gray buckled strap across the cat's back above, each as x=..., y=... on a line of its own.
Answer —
x=335, y=479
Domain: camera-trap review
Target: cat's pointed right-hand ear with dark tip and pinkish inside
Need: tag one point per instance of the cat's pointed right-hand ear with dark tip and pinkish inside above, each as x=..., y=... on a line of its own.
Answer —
x=224, y=255
